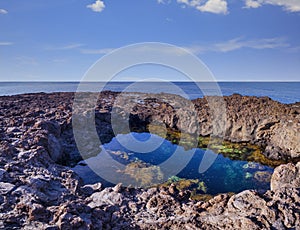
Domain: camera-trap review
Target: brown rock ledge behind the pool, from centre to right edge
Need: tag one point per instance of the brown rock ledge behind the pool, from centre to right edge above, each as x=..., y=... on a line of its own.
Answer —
x=261, y=121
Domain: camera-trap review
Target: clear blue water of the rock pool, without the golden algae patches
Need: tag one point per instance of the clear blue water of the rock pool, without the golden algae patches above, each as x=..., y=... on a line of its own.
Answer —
x=224, y=175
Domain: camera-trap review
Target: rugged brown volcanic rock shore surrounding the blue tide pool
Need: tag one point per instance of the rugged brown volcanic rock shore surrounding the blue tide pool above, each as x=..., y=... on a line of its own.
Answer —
x=38, y=190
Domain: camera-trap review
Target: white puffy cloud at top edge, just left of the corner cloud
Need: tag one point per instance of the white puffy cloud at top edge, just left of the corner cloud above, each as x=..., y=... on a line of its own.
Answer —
x=211, y=6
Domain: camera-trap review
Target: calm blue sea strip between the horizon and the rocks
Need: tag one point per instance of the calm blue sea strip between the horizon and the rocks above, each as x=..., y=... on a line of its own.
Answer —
x=285, y=92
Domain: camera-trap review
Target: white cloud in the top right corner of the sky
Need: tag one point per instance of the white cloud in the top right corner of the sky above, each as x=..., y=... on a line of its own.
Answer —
x=289, y=5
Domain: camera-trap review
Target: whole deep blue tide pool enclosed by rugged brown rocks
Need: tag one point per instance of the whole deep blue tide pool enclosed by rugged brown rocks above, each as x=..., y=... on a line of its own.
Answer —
x=146, y=161
